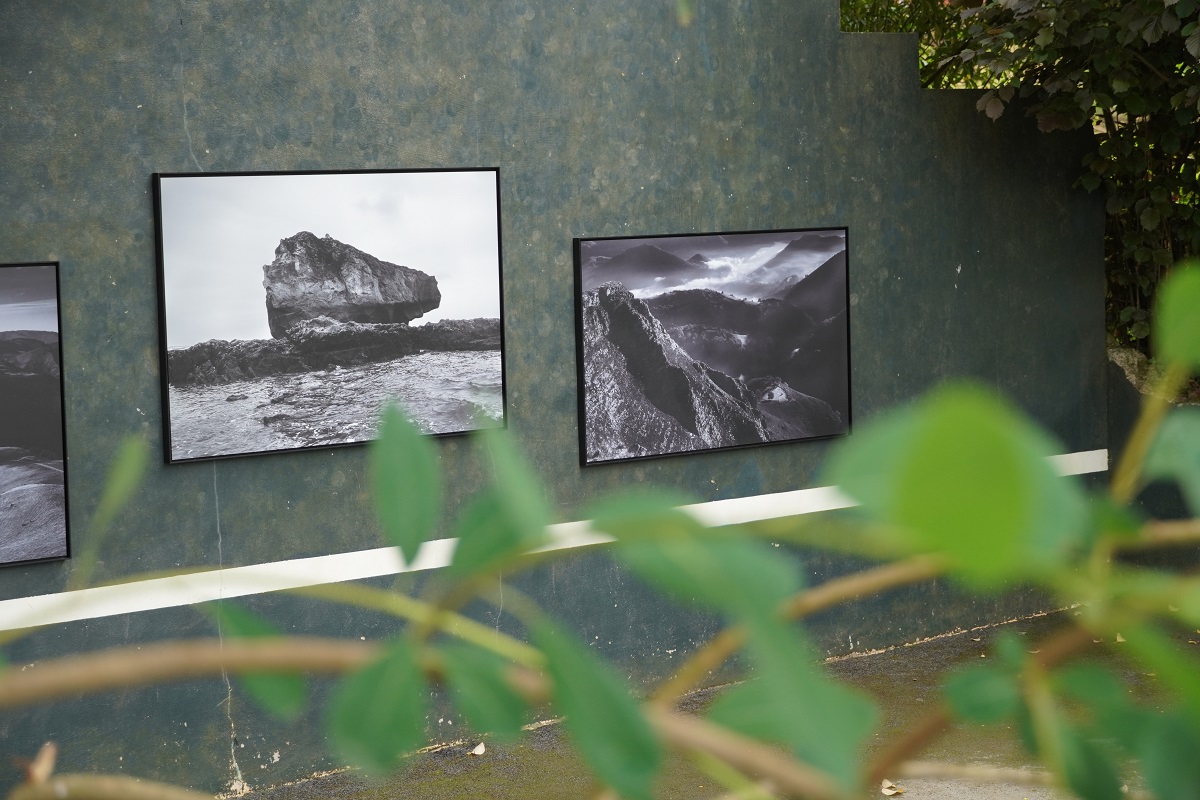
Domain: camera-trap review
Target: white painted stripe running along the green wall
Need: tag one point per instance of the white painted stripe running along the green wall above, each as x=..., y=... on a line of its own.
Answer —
x=238, y=582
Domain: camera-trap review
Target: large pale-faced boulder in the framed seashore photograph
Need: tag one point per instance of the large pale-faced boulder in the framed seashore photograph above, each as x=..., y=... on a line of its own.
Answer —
x=316, y=278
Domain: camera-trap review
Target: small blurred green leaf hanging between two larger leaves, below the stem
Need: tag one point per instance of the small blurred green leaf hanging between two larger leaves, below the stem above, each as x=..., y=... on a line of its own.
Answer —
x=479, y=689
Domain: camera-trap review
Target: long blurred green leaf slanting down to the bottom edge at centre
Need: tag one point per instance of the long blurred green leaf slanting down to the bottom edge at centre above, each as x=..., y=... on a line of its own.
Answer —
x=602, y=717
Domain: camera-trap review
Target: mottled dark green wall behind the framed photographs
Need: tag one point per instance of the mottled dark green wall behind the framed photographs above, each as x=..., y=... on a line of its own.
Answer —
x=971, y=255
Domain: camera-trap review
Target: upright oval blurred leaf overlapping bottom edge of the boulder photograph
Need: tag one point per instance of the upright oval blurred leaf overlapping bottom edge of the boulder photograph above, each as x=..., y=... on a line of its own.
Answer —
x=406, y=483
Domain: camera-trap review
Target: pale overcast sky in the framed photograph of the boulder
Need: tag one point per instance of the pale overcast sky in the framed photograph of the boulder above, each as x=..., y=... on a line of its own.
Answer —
x=220, y=231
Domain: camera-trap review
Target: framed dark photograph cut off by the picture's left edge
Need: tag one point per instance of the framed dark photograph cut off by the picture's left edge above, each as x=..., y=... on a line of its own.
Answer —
x=33, y=442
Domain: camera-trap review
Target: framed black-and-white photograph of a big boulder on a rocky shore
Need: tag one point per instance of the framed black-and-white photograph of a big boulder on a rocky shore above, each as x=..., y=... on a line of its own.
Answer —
x=296, y=305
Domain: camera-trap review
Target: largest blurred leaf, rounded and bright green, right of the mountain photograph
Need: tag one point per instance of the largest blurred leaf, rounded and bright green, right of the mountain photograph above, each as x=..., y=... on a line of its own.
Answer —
x=962, y=473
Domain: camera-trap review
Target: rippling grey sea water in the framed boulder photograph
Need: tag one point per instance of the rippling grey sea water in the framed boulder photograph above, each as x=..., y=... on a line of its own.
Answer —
x=442, y=392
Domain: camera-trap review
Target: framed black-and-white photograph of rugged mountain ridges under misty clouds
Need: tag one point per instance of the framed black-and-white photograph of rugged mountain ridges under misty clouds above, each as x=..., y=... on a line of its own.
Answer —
x=701, y=342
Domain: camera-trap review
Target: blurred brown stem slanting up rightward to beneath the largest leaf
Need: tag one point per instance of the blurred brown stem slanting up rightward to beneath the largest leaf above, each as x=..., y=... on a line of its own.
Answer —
x=830, y=594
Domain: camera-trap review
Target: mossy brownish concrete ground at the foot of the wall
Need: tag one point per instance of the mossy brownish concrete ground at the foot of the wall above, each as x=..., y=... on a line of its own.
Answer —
x=543, y=766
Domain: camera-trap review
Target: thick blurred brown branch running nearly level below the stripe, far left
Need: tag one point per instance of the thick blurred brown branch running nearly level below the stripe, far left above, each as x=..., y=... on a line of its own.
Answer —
x=152, y=664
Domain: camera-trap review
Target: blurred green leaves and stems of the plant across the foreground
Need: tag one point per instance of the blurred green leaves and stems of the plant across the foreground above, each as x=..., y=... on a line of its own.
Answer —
x=959, y=476
